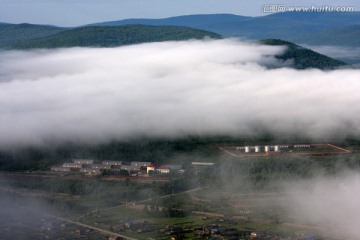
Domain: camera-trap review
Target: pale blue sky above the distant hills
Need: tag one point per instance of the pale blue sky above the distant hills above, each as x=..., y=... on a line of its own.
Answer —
x=79, y=12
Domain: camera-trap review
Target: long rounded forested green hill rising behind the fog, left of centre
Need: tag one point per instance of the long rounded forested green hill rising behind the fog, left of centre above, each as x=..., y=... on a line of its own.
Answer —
x=101, y=36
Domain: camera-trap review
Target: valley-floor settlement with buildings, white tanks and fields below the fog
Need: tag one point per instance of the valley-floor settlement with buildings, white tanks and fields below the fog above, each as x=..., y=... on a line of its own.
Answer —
x=175, y=199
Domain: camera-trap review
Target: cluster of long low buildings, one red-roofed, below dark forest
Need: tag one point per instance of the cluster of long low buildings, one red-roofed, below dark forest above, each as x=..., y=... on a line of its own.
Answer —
x=91, y=167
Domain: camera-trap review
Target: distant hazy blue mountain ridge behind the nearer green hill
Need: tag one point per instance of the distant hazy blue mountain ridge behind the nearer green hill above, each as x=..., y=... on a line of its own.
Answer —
x=298, y=27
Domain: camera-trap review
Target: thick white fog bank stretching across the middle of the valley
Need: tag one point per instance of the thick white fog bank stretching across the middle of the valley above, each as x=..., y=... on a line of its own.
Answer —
x=170, y=89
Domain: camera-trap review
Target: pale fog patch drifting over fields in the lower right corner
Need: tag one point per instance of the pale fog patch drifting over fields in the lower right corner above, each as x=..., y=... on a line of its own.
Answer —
x=329, y=204
